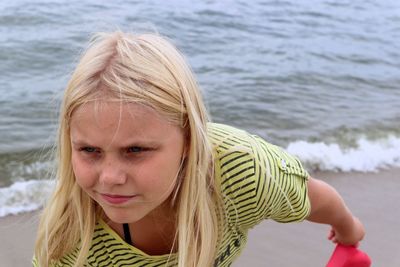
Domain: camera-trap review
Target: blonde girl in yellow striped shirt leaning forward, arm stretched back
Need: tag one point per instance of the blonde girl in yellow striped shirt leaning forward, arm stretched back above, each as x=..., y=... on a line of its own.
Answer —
x=144, y=179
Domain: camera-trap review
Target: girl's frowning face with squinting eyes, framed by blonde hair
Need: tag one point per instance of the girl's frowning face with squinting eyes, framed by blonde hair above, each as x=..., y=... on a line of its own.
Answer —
x=126, y=157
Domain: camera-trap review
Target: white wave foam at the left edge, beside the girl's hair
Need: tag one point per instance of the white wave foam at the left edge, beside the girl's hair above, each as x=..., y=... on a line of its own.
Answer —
x=24, y=196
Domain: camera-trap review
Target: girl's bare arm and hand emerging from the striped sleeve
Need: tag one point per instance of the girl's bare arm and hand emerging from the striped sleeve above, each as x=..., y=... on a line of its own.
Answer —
x=328, y=207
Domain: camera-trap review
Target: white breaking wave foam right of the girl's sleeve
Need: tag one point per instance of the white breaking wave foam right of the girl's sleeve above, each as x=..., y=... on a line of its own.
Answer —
x=367, y=156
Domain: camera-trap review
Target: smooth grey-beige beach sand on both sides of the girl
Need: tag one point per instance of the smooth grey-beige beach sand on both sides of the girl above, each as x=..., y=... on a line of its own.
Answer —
x=373, y=197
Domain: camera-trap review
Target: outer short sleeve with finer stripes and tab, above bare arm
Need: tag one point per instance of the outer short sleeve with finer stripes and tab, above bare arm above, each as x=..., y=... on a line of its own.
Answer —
x=284, y=181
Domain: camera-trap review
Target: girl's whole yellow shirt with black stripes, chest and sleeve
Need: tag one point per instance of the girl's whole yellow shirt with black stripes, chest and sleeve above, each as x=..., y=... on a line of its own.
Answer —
x=257, y=180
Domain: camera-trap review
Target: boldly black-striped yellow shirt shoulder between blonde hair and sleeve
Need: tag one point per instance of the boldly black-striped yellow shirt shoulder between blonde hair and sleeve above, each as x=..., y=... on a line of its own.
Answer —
x=235, y=171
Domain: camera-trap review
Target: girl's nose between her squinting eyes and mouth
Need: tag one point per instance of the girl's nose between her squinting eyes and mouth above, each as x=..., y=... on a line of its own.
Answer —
x=112, y=172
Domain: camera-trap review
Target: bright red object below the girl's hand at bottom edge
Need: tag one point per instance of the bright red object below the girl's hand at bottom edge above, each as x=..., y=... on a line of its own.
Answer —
x=348, y=256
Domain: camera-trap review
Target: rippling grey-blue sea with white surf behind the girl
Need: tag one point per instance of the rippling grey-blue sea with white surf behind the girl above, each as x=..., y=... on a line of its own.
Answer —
x=320, y=78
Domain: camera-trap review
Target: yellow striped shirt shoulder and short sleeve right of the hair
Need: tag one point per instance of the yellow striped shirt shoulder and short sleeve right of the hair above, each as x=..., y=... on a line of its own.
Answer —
x=258, y=180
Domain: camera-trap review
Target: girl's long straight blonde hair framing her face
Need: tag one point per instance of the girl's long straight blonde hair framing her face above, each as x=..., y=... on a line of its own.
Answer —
x=144, y=69
